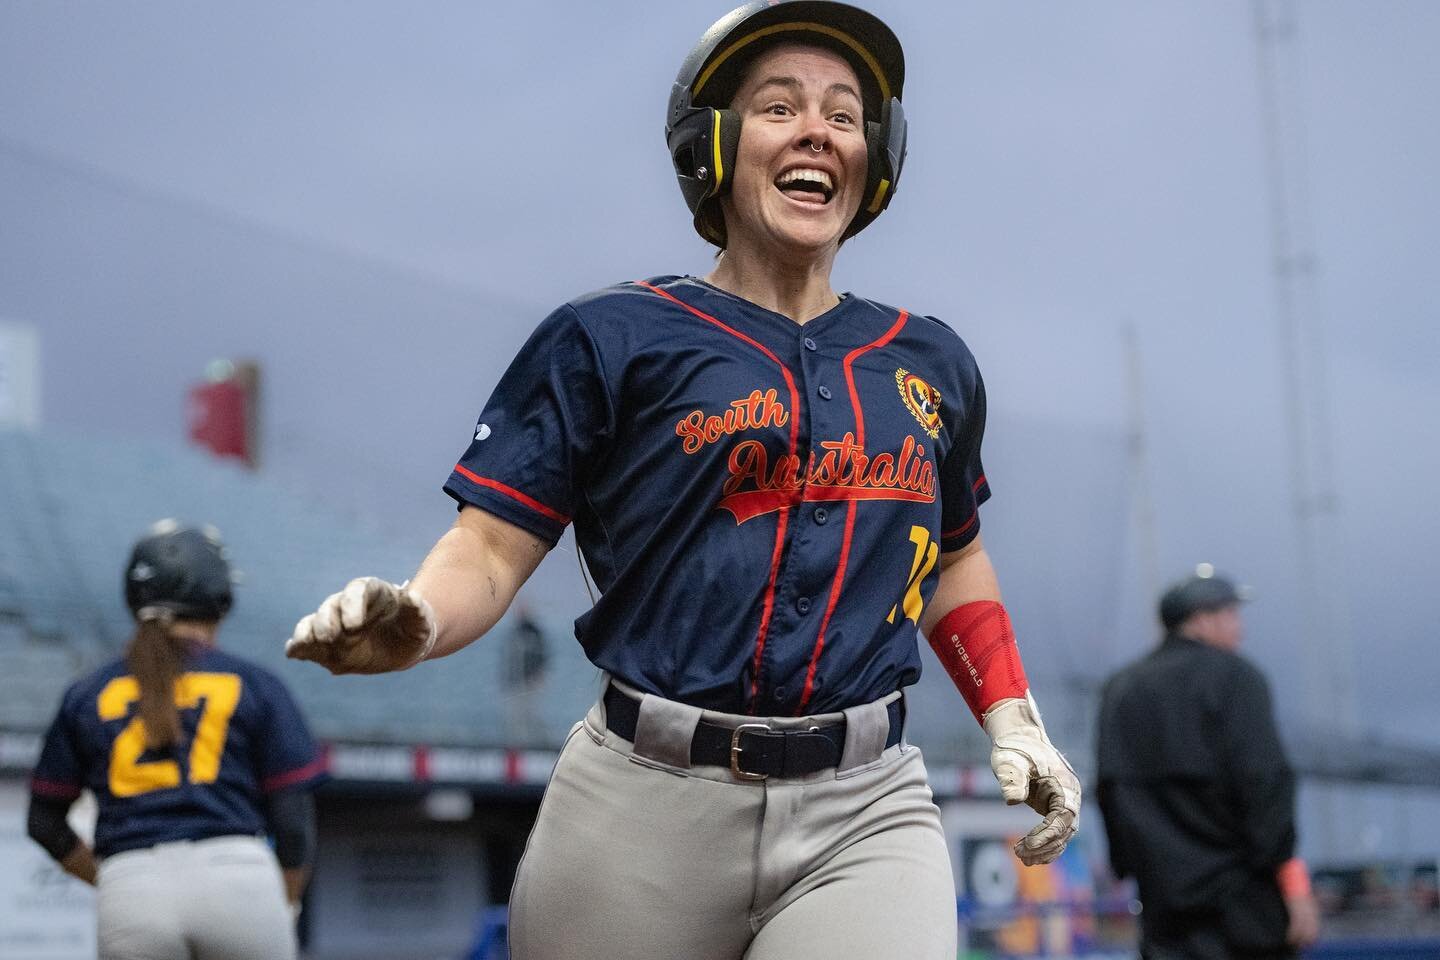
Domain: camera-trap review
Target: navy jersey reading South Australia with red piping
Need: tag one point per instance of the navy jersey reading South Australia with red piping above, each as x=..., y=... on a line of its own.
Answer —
x=762, y=503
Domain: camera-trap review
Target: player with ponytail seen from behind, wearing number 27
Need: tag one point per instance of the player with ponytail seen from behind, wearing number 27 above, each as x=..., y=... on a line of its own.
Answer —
x=194, y=756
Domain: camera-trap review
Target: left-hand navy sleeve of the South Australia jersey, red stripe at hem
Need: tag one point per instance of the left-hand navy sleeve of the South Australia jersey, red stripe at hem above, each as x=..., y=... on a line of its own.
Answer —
x=542, y=431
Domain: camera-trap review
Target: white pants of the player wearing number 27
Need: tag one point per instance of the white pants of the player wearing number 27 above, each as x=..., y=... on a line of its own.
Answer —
x=222, y=899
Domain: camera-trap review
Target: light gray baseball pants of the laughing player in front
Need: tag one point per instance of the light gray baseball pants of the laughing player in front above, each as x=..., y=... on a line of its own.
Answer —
x=640, y=857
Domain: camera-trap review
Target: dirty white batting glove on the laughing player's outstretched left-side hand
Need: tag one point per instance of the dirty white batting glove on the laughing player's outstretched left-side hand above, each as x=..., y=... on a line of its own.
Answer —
x=372, y=627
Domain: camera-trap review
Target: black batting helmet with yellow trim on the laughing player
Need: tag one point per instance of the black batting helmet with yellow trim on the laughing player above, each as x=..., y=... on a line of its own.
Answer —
x=703, y=133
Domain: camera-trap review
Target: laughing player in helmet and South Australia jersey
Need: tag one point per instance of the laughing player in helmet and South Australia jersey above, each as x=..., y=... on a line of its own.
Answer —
x=774, y=486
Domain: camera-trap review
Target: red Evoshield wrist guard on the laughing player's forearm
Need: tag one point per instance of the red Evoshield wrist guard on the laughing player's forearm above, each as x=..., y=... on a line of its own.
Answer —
x=977, y=647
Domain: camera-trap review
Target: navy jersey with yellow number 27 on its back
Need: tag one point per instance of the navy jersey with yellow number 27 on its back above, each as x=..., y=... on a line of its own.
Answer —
x=241, y=738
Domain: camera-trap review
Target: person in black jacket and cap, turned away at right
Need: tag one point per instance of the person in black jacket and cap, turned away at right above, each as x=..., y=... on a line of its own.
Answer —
x=1197, y=797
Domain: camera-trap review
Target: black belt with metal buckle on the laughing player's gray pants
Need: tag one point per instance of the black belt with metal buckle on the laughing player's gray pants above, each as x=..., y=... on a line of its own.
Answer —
x=754, y=751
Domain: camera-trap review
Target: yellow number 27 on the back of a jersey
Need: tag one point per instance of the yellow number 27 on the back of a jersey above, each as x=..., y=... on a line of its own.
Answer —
x=215, y=694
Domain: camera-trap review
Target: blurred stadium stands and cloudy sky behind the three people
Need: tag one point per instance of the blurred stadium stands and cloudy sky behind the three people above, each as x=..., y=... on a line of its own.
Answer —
x=260, y=268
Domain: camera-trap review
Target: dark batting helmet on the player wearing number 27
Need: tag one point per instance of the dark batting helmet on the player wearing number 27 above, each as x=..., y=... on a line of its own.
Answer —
x=179, y=569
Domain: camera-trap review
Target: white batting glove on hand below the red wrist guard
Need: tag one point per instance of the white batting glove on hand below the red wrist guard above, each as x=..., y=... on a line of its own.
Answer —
x=1033, y=772
